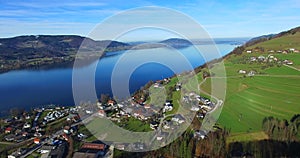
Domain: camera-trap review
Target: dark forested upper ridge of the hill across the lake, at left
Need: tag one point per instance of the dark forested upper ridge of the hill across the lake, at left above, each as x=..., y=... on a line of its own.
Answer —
x=29, y=47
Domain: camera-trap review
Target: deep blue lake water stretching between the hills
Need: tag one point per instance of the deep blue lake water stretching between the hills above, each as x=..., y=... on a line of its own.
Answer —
x=35, y=88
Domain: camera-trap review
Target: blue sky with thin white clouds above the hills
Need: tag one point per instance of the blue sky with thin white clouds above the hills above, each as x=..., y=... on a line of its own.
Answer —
x=220, y=18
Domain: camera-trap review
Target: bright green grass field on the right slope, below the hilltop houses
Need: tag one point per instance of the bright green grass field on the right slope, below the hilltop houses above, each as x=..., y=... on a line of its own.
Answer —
x=272, y=92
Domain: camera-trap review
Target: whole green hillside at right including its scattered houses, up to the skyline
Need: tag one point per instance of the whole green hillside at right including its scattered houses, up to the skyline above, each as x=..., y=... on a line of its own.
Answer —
x=272, y=90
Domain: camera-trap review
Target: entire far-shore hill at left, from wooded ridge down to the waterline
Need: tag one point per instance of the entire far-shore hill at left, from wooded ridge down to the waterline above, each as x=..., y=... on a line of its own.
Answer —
x=34, y=51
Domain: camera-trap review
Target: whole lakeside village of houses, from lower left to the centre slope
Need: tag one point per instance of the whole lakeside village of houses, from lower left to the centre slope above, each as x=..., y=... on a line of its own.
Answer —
x=56, y=131
